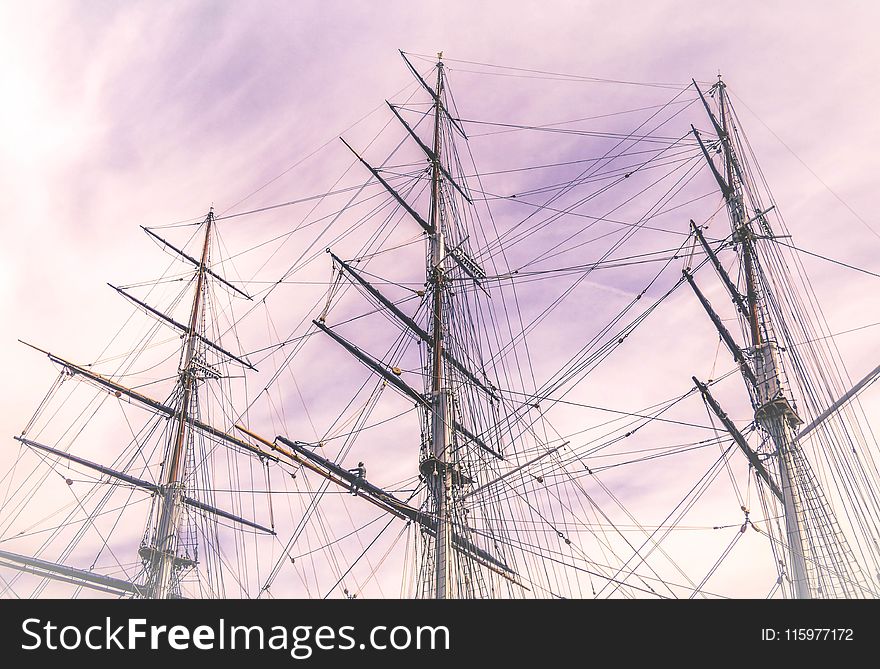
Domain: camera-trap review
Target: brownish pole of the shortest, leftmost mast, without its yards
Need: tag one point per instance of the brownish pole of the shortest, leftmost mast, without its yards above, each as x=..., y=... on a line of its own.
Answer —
x=164, y=562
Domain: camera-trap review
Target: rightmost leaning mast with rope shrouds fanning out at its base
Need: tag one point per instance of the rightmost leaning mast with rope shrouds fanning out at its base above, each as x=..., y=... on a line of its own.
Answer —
x=819, y=560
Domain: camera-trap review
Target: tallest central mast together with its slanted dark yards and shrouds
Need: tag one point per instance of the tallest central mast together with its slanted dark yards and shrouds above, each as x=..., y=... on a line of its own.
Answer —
x=448, y=570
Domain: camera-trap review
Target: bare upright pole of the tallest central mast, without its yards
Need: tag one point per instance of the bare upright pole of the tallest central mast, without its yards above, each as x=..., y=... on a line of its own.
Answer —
x=440, y=481
